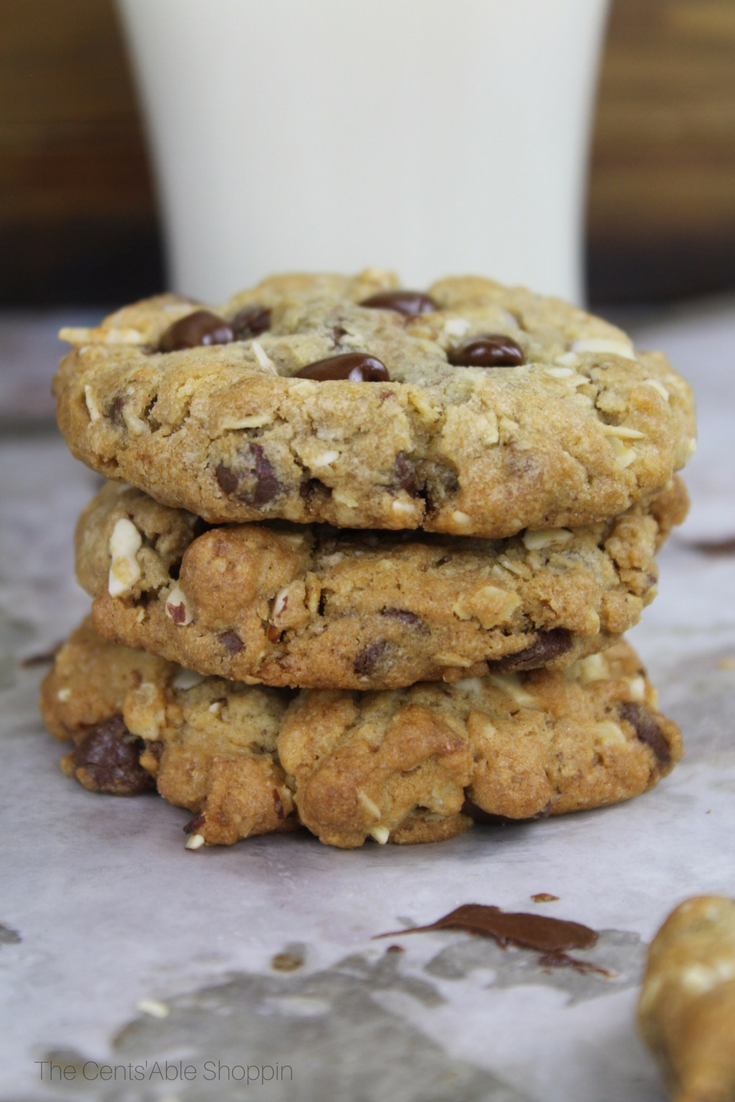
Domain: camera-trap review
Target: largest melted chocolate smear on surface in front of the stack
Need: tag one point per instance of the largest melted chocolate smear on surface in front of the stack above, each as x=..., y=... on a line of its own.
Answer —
x=529, y=932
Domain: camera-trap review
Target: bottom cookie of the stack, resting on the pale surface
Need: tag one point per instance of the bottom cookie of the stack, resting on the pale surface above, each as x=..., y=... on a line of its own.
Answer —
x=409, y=765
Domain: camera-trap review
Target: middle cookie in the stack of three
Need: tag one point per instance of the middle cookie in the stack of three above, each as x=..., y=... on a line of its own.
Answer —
x=318, y=608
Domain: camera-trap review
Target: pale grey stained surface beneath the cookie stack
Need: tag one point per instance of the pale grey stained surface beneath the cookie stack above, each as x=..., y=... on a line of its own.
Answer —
x=122, y=949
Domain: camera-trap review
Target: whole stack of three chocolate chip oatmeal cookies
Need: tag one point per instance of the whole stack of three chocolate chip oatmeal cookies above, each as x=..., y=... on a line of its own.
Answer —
x=367, y=557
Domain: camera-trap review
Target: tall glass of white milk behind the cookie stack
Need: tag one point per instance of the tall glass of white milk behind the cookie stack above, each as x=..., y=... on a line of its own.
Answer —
x=428, y=136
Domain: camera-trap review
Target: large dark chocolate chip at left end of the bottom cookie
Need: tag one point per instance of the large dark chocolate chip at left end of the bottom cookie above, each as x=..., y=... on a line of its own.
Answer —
x=110, y=758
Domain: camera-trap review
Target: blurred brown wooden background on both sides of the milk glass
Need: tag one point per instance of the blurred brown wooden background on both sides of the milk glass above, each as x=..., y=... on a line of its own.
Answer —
x=78, y=213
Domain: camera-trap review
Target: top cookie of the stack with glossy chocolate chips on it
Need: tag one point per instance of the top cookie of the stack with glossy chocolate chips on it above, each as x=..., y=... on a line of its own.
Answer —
x=236, y=417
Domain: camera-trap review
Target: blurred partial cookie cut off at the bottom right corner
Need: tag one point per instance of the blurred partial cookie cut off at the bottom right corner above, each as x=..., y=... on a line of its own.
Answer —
x=687, y=1009
